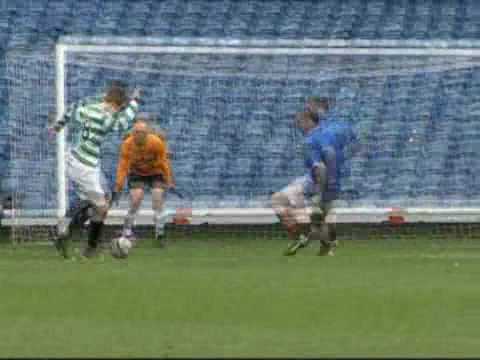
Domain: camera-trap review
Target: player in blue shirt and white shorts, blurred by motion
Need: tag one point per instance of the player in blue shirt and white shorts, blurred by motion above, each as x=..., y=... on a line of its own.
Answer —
x=325, y=142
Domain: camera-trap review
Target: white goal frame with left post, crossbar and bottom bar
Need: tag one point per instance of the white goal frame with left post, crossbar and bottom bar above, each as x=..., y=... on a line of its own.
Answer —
x=73, y=44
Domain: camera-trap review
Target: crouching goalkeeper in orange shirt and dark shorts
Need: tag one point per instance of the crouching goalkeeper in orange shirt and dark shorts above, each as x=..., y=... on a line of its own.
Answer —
x=144, y=159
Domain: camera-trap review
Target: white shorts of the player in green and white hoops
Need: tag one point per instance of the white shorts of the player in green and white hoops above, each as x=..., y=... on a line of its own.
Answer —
x=89, y=182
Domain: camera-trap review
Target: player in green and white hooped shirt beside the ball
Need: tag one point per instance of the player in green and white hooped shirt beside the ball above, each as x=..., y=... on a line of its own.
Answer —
x=97, y=118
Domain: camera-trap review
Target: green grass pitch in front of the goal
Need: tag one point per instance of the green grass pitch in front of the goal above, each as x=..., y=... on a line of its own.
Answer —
x=241, y=298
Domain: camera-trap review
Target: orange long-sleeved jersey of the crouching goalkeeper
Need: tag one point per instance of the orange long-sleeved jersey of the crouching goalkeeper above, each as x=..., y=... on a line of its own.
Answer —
x=147, y=160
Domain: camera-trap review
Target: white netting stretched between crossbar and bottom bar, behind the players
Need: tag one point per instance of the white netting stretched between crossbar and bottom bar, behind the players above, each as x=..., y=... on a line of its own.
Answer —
x=415, y=113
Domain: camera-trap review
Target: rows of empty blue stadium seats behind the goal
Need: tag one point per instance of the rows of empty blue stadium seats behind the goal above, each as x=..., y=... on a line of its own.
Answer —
x=390, y=170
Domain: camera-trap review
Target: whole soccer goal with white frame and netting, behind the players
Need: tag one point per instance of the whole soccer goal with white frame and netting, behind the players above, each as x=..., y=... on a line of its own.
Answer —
x=228, y=108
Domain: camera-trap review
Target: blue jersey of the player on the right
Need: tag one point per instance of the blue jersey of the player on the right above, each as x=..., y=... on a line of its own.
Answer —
x=327, y=143
